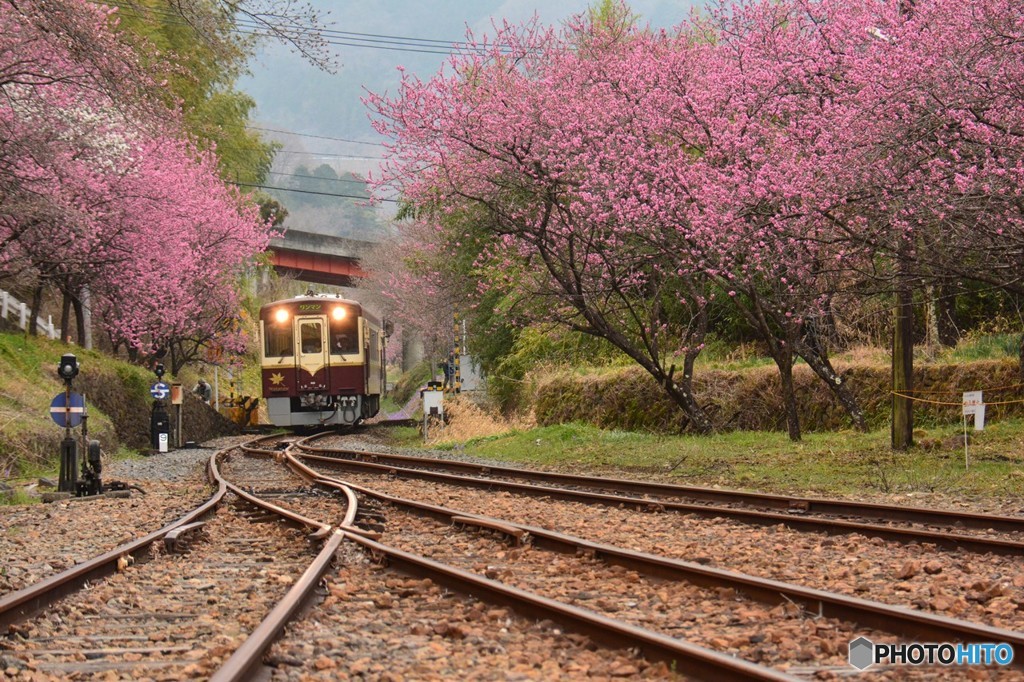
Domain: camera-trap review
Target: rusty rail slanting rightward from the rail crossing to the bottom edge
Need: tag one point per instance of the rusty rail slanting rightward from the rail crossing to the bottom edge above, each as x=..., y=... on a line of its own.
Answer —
x=692, y=660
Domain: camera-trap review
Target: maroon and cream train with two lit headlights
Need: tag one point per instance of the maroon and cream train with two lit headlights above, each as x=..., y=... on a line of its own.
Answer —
x=322, y=361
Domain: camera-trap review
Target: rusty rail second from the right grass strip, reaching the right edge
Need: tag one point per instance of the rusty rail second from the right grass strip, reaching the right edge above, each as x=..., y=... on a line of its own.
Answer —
x=833, y=527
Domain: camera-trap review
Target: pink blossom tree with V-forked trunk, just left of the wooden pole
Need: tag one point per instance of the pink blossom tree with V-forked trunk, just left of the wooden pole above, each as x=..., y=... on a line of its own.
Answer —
x=754, y=126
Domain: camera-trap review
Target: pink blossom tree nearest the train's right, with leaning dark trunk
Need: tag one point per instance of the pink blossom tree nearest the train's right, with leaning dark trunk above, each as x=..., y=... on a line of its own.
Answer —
x=529, y=133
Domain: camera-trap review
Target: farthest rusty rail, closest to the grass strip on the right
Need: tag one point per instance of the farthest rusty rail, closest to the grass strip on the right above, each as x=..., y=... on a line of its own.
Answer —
x=788, y=503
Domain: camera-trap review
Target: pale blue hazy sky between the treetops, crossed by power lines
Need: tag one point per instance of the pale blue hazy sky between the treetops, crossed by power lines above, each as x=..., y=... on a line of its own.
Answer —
x=295, y=97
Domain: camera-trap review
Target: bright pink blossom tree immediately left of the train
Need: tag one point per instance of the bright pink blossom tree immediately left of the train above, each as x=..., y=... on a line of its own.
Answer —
x=187, y=239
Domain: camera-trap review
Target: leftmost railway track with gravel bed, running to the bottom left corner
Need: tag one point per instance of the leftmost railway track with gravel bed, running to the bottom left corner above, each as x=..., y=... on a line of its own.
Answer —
x=187, y=601
